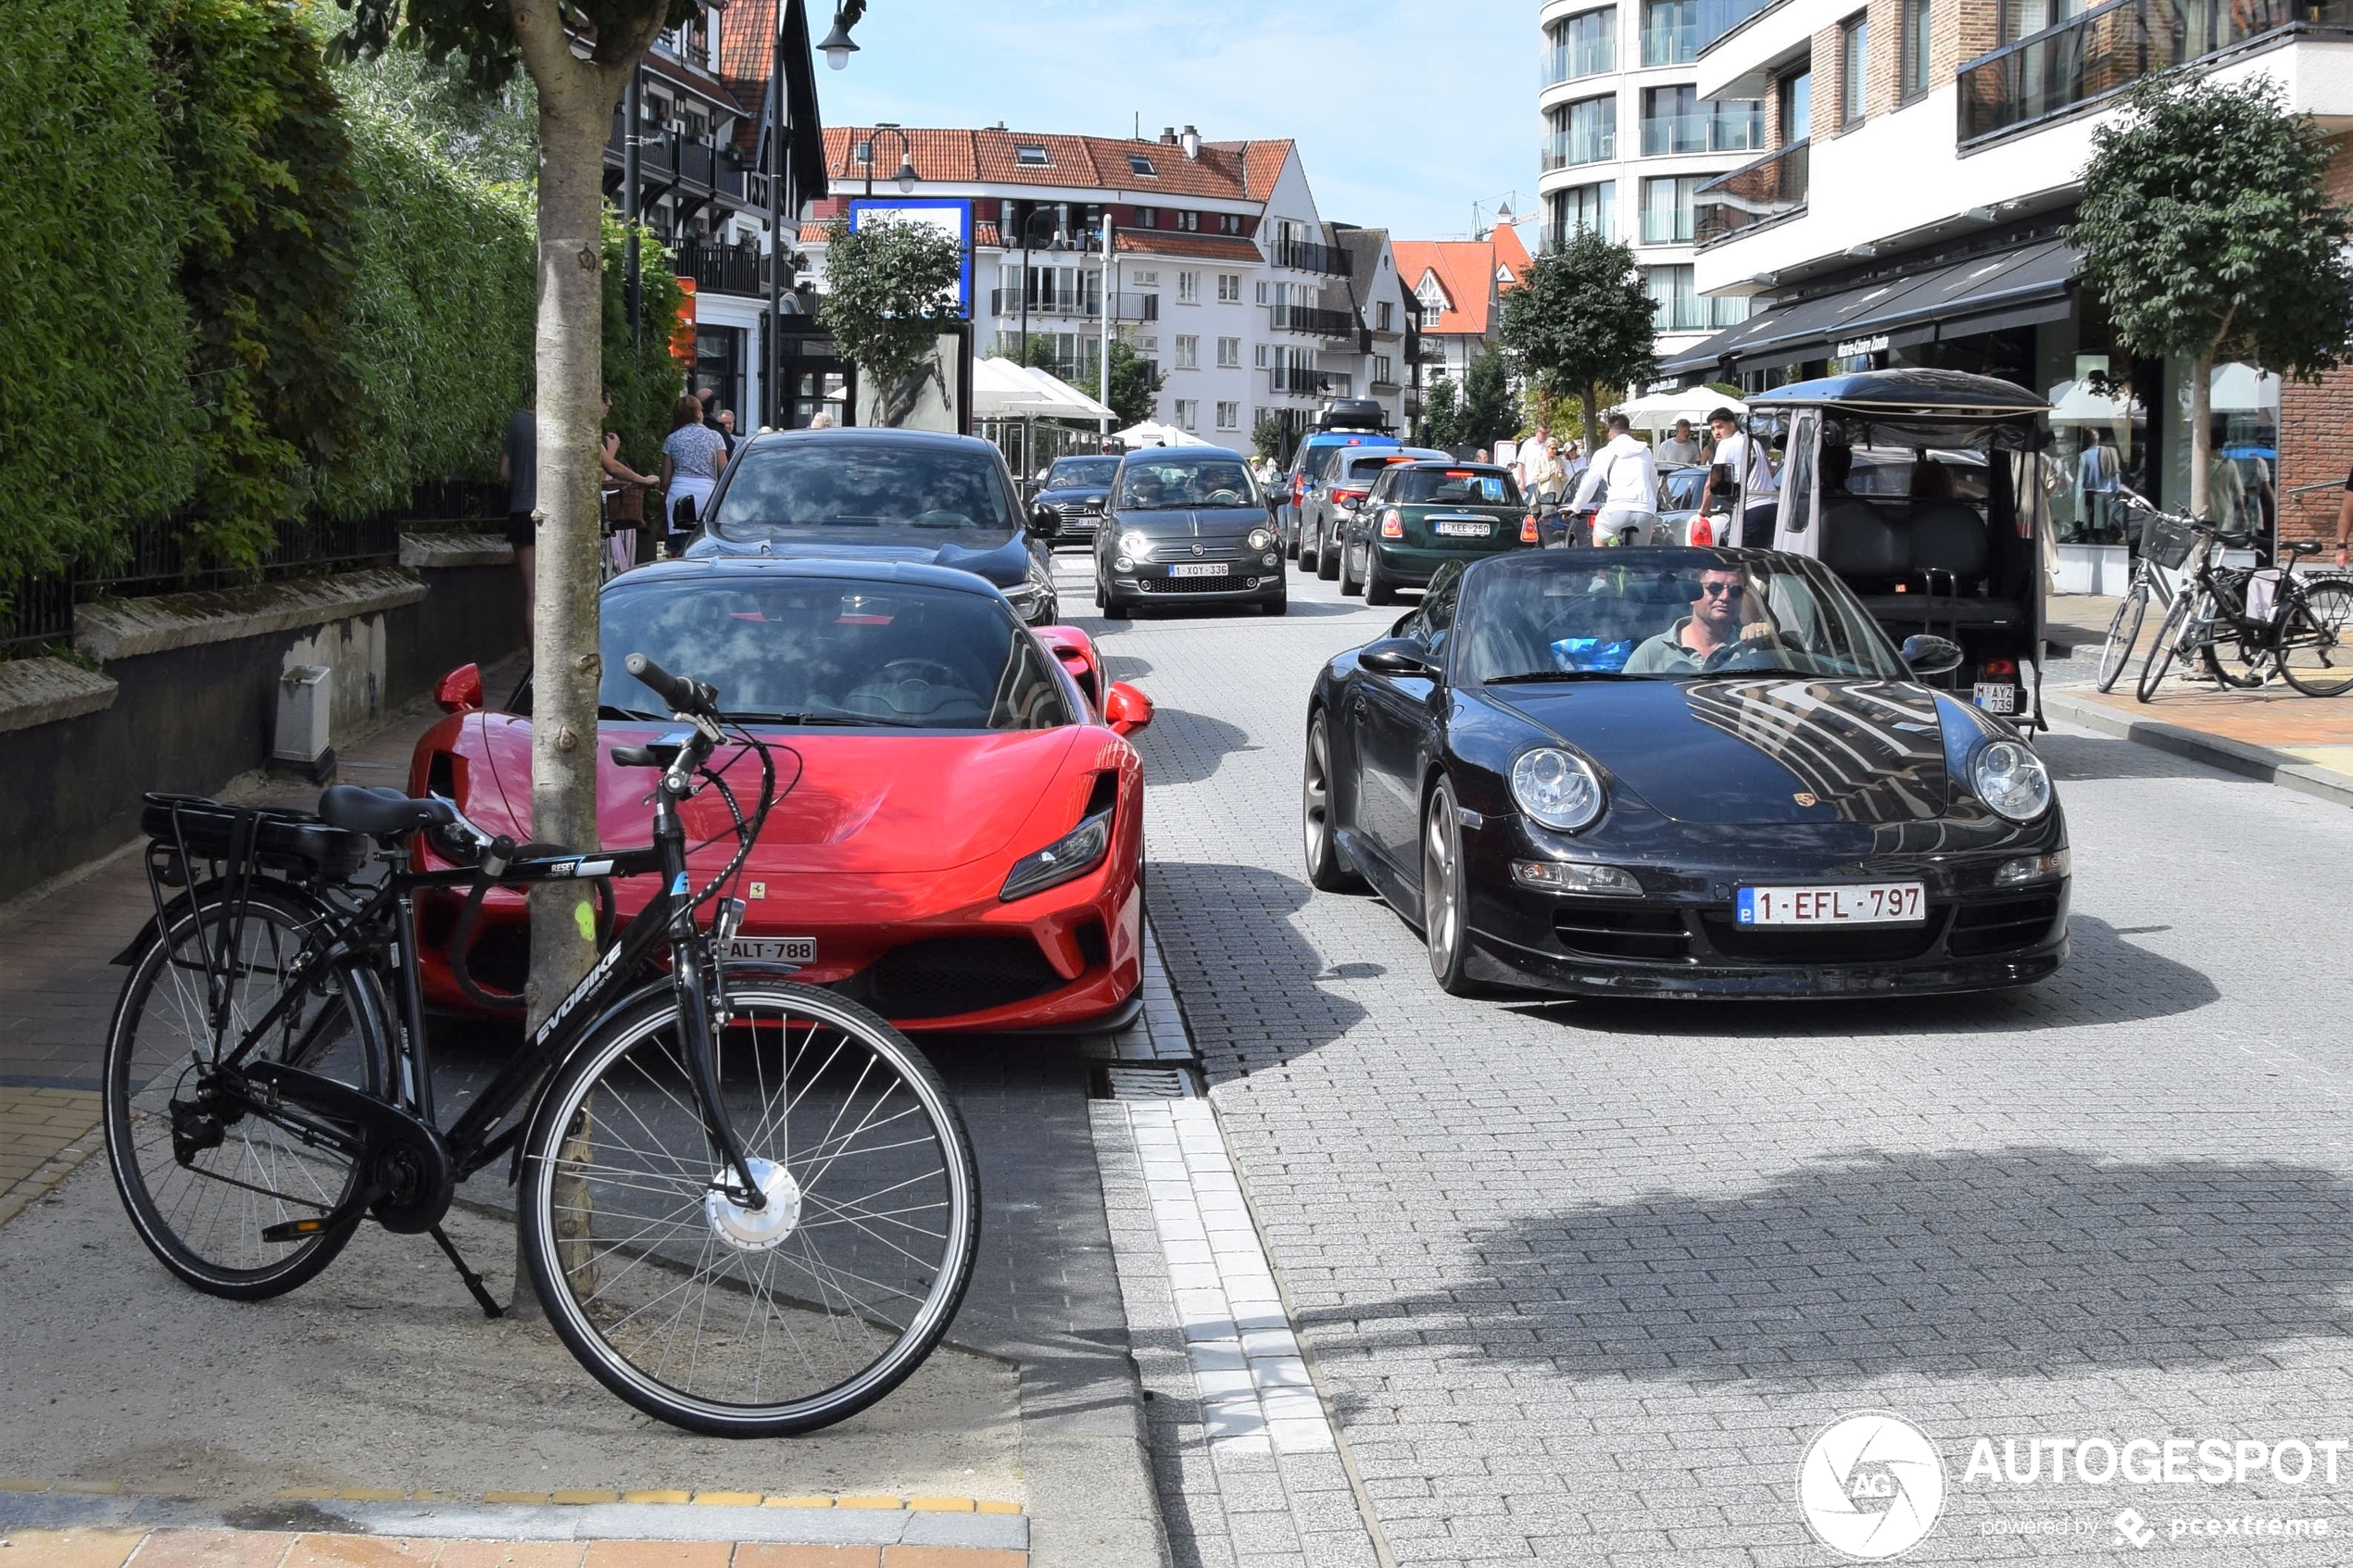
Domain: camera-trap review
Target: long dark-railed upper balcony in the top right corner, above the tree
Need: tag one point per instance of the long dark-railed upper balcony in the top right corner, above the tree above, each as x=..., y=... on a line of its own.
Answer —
x=2109, y=48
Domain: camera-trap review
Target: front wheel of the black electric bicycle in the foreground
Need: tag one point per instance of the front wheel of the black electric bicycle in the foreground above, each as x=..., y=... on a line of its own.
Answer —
x=735, y=1320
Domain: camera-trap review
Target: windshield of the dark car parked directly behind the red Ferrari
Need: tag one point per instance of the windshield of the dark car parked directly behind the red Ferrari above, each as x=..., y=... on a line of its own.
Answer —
x=862, y=485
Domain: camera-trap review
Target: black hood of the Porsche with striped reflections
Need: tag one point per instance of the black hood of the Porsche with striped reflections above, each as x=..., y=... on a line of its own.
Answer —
x=1761, y=749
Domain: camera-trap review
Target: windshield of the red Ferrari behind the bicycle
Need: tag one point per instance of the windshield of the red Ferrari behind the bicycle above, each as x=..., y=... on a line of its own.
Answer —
x=832, y=652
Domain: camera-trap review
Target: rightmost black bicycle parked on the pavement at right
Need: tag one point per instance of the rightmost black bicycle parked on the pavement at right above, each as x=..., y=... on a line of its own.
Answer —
x=2244, y=624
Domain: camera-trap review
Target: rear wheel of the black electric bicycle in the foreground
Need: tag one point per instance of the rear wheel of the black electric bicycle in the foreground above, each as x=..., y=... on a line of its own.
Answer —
x=204, y=1174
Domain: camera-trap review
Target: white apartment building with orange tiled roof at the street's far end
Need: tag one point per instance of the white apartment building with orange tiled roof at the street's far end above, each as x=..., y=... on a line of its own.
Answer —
x=1222, y=272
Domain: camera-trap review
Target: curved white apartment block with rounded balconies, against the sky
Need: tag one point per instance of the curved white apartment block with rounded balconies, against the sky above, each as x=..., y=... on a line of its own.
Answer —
x=1629, y=140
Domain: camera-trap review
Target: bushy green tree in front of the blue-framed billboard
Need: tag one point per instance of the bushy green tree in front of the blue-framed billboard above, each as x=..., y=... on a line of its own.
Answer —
x=888, y=290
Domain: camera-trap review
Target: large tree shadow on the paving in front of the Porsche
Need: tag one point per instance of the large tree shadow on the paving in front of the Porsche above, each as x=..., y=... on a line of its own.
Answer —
x=1867, y=1266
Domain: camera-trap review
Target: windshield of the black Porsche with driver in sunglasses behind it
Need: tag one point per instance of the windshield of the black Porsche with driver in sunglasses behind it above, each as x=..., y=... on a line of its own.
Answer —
x=1665, y=615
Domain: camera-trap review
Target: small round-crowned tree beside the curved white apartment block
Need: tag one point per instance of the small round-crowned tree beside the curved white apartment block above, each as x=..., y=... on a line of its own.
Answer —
x=1580, y=323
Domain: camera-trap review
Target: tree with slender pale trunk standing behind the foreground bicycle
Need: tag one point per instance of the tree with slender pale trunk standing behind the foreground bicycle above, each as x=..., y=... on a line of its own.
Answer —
x=578, y=95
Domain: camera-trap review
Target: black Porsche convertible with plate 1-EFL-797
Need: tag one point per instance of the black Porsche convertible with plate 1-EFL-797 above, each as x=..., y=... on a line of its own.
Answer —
x=1655, y=772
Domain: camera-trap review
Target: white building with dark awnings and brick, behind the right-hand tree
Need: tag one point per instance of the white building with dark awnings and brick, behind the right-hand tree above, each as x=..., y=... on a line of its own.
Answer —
x=1924, y=163
